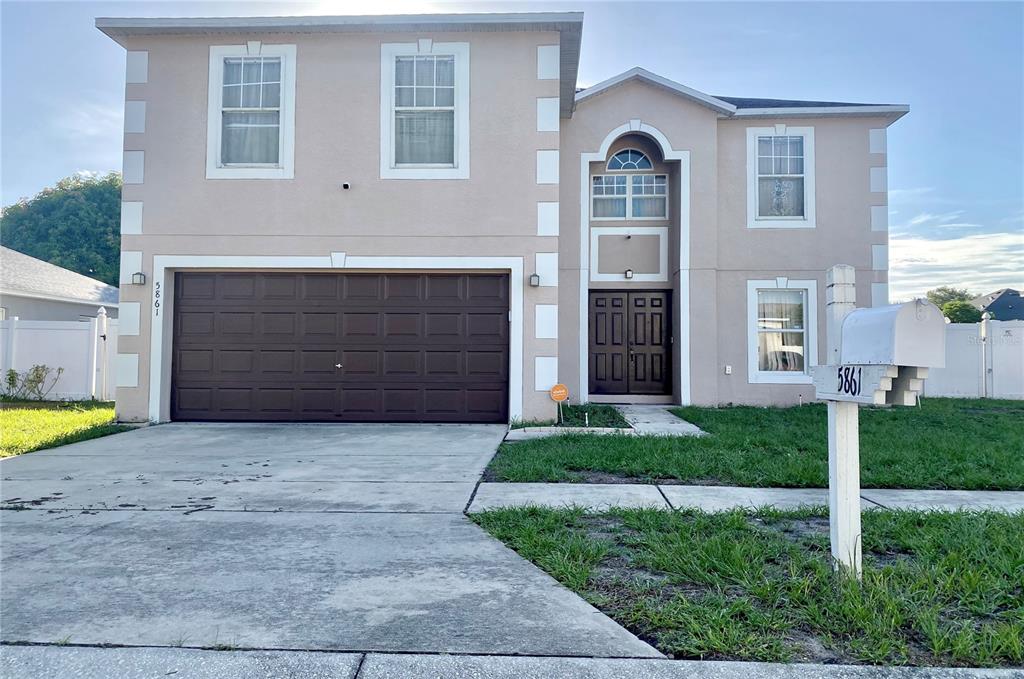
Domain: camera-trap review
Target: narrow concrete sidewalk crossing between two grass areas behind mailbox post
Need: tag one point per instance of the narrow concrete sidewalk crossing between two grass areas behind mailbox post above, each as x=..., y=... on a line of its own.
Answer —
x=723, y=498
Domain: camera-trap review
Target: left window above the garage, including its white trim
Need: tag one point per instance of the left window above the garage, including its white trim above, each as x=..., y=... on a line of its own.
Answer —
x=251, y=116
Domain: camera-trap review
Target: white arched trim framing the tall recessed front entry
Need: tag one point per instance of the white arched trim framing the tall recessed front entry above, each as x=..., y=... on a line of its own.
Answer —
x=682, y=304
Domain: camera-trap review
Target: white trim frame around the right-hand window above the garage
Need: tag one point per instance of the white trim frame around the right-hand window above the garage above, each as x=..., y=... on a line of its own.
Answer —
x=424, y=48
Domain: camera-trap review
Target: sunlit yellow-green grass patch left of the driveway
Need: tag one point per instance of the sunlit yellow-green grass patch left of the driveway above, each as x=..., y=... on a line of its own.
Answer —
x=33, y=429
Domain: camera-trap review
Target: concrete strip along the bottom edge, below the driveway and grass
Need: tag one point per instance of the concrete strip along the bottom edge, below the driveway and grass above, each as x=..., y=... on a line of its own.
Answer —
x=145, y=663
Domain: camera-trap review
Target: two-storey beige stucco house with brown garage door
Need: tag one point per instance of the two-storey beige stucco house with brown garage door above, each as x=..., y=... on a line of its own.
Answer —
x=420, y=219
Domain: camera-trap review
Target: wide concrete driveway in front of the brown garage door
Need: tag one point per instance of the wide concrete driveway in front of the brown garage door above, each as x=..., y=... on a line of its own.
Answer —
x=306, y=537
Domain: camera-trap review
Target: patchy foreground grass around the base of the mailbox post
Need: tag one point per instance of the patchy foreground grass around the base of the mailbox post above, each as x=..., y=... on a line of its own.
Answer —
x=938, y=588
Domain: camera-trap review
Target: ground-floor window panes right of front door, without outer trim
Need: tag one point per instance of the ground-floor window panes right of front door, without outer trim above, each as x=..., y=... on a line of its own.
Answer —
x=782, y=331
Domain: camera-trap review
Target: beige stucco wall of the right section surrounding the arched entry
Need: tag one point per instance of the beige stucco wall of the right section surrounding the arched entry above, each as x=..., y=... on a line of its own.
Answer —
x=724, y=253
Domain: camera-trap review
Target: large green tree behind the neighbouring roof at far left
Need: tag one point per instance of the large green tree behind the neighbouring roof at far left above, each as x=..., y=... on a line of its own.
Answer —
x=75, y=225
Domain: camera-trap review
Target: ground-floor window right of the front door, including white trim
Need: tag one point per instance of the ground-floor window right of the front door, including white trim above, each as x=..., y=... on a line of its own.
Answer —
x=782, y=331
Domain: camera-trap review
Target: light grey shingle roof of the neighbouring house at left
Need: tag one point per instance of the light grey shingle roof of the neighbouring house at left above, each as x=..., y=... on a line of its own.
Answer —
x=22, y=275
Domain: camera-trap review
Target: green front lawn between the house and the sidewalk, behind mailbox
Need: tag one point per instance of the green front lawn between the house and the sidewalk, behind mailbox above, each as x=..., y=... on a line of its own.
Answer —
x=946, y=444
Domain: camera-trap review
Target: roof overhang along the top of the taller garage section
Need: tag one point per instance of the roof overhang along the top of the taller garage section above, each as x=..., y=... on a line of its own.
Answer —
x=568, y=25
